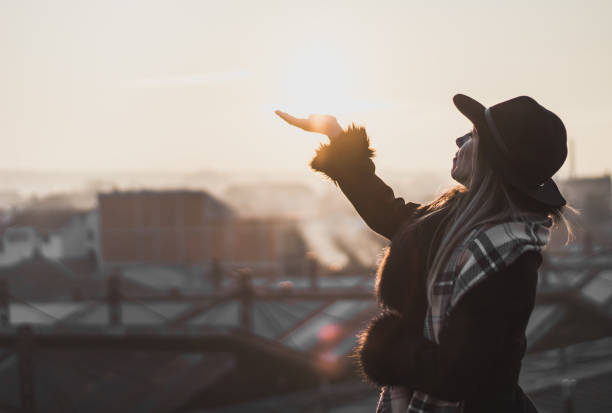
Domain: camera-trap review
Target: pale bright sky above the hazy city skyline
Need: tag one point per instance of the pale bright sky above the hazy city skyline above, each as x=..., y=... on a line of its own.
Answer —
x=189, y=85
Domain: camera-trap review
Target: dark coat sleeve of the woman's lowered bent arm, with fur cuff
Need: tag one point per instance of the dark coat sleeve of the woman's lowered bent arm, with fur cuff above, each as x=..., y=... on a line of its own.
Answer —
x=480, y=347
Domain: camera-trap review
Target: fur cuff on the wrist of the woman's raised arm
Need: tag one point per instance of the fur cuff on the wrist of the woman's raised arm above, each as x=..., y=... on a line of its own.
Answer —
x=351, y=149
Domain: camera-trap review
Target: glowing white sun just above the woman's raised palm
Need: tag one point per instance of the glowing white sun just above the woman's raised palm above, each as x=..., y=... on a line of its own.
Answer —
x=319, y=80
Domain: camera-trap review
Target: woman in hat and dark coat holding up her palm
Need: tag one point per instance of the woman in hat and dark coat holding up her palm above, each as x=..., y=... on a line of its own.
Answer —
x=457, y=284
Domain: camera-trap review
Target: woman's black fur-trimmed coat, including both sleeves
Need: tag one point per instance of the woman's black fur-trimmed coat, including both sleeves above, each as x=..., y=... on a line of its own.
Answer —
x=481, y=346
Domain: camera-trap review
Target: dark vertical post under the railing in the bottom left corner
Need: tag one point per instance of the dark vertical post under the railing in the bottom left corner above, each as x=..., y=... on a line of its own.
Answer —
x=25, y=348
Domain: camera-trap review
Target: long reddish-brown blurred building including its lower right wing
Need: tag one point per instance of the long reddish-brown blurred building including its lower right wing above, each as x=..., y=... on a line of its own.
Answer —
x=184, y=227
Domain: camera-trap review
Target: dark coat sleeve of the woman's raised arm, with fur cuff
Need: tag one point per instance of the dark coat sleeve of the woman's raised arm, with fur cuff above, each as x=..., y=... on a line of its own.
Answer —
x=347, y=161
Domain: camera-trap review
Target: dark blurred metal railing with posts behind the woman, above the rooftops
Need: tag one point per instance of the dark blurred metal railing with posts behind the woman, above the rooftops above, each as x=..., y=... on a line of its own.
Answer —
x=24, y=339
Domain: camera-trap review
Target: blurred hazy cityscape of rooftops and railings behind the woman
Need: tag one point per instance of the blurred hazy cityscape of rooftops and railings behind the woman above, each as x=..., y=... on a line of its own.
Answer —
x=217, y=292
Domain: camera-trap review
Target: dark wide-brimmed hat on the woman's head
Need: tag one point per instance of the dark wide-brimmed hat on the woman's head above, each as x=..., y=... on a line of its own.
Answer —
x=525, y=143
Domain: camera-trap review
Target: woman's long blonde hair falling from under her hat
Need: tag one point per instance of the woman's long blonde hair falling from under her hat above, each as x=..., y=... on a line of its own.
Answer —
x=484, y=199
